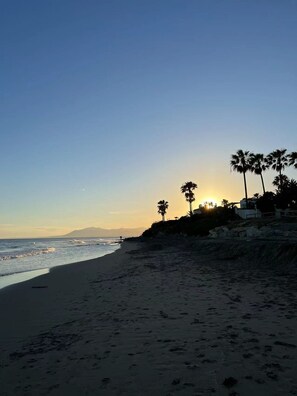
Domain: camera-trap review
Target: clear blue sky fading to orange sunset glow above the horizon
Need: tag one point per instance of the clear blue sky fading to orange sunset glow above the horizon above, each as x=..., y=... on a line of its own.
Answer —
x=108, y=106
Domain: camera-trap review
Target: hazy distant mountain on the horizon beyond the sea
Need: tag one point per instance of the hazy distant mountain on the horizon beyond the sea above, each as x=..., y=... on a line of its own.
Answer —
x=95, y=232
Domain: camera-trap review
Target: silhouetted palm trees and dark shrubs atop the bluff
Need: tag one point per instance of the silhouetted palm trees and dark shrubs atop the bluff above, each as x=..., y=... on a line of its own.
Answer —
x=210, y=216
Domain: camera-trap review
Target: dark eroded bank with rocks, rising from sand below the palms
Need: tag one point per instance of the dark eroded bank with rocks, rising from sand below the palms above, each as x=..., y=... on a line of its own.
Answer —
x=253, y=244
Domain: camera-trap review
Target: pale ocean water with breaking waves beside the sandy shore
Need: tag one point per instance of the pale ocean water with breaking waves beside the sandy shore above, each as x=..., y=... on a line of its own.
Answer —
x=22, y=259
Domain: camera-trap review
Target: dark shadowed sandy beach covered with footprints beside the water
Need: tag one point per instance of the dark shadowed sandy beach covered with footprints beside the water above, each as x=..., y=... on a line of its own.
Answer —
x=166, y=316
